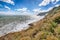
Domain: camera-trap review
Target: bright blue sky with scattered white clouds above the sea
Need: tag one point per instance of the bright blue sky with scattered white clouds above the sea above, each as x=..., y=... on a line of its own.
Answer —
x=26, y=7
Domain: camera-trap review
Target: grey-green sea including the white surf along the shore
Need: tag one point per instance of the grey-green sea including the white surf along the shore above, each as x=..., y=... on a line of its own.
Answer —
x=15, y=23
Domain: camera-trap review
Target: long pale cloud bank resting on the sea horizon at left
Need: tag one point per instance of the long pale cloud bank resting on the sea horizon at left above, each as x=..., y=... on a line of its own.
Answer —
x=22, y=11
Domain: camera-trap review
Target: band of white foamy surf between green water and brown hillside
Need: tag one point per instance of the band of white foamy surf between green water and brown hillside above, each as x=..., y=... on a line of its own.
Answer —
x=16, y=26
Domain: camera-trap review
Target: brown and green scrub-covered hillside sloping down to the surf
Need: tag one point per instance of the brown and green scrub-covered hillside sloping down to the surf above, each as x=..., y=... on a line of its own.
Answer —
x=47, y=28
